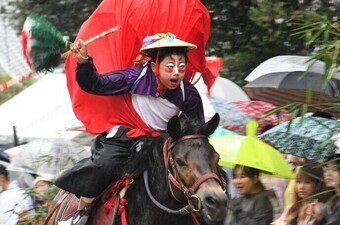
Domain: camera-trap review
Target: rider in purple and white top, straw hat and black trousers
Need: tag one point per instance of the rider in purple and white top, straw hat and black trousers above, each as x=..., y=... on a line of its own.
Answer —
x=152, y=92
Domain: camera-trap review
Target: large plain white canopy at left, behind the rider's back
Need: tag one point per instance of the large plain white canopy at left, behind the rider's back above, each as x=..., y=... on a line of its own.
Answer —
x=42, y=110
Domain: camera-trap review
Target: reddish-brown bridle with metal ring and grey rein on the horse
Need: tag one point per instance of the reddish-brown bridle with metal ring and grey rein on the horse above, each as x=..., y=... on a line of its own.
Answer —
x=194, y=203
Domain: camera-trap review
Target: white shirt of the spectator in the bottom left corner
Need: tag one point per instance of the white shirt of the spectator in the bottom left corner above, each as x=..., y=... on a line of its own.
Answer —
x=13, y=200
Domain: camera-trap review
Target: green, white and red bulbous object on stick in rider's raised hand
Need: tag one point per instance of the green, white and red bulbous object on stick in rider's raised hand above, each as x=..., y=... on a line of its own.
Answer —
x=44, y=46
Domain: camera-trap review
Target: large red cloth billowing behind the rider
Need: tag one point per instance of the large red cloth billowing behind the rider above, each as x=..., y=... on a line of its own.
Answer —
x=188, y=20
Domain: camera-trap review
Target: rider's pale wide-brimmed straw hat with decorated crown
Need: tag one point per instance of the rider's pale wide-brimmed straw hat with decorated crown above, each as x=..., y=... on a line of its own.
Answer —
x=167, y=40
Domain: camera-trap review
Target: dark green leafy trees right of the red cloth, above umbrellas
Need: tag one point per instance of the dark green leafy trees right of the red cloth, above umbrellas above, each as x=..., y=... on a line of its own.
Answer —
x=246, y=33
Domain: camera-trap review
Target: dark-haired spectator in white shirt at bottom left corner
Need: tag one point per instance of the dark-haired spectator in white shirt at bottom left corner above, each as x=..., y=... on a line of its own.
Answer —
x=15, y=204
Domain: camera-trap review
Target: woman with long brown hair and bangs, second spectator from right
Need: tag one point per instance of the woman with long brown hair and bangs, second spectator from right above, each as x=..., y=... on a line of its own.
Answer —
x=308, y=184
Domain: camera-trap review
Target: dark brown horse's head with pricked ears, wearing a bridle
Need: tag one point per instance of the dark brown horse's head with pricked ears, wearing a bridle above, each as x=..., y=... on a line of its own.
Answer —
x=192, y=165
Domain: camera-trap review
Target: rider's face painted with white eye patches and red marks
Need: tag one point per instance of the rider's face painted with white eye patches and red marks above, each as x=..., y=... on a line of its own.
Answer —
x=172, y=71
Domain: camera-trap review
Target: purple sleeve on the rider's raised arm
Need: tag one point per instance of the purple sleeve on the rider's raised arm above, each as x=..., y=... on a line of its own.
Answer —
x=111, y=83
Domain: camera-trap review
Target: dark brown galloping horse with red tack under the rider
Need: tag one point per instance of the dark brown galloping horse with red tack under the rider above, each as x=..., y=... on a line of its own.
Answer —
x=172, y=179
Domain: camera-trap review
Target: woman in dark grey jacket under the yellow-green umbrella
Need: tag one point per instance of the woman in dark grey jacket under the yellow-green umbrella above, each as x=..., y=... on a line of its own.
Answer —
x=253, y=206
